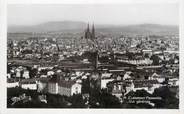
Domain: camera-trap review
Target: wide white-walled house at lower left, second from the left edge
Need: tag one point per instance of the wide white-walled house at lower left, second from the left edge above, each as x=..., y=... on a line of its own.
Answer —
x=28, y=84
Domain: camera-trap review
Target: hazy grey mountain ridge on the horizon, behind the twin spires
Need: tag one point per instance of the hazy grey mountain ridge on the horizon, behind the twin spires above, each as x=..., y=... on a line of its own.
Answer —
x=69, y=26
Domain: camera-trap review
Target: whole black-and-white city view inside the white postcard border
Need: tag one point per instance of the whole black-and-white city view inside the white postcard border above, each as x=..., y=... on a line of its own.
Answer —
x=93, y=56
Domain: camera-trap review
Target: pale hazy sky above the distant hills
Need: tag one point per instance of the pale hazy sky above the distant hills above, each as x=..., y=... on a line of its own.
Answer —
x=167, y=14
